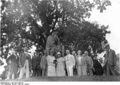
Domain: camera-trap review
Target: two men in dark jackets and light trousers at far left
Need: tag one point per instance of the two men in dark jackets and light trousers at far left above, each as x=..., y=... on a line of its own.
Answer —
x=18, y=66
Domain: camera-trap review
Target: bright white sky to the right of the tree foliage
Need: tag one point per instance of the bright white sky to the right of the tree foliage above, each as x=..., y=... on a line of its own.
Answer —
x=110, y=17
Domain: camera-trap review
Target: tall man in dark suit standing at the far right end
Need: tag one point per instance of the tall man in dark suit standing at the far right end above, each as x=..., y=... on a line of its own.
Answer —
x=110, y=61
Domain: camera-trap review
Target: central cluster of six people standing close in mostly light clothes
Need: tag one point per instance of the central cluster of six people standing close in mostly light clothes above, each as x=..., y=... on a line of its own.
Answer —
x=65, y=66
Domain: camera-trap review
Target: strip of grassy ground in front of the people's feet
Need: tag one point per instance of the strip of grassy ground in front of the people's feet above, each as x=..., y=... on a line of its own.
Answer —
x=82, y=78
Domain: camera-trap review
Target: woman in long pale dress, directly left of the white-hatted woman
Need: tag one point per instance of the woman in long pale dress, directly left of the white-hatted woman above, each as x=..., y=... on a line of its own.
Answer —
x=51, y=65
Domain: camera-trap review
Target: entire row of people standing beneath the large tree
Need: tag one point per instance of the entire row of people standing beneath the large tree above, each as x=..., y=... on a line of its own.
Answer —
x=74, y=63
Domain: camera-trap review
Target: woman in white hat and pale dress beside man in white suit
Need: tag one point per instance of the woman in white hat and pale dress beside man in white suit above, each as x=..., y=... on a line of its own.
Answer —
x=60, y=70
